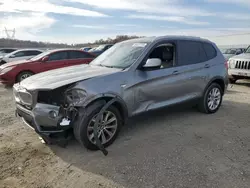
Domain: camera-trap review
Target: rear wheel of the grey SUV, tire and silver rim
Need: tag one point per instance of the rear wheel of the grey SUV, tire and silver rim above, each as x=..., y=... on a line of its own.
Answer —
x=211, y=100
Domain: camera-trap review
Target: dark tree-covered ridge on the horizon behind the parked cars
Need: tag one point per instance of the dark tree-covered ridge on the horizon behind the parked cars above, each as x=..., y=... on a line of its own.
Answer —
x=14, y=43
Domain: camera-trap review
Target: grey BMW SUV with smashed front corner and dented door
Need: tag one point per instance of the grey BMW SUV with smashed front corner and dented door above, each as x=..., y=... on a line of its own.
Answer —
x=140, y=74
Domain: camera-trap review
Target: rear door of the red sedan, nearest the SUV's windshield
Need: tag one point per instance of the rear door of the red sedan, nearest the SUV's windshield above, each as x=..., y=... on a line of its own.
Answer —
x=77, y=57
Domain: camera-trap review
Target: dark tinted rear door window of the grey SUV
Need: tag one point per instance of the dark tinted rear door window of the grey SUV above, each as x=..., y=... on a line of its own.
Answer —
x=190, y=52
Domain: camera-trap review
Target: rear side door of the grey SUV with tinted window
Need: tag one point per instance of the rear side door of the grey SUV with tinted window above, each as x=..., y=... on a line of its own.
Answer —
x=193, y=67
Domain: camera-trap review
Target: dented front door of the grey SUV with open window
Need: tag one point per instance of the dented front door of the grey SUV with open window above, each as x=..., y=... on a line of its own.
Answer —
x=160, y=86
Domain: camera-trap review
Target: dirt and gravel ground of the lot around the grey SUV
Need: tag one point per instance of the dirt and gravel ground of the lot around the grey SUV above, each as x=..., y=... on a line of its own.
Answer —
x=168, y=148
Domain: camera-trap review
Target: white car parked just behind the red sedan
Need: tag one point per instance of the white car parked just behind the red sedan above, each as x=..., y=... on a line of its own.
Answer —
x=21, y=54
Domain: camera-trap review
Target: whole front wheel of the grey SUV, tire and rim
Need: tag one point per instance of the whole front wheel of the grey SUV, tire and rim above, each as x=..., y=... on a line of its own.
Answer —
x=83, y=128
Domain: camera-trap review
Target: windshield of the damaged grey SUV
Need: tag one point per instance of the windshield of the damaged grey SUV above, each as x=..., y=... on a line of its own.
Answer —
x=121, y=55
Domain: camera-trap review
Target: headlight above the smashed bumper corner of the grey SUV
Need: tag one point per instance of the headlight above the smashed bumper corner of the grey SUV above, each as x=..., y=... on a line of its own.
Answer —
x=75, y=96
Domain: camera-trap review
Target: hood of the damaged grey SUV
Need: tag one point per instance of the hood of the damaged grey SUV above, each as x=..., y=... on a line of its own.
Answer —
x=63, y=76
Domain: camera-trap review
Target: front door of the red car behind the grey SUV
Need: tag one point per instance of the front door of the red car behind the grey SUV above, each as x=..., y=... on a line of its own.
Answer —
x=55, y=60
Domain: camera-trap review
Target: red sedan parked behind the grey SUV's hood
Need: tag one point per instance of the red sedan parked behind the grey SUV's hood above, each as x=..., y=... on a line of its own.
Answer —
x=17, y=71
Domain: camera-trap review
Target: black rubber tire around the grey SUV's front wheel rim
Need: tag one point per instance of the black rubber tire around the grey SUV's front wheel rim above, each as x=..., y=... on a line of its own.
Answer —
x=81, y=128
